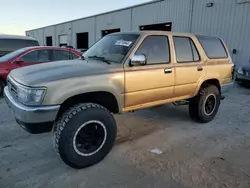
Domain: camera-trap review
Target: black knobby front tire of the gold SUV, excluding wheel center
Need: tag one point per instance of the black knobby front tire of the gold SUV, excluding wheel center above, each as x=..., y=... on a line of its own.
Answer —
x=68, y=124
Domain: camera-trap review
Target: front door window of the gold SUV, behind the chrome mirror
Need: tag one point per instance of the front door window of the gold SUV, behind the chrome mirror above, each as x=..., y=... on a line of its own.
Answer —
x=156, y=49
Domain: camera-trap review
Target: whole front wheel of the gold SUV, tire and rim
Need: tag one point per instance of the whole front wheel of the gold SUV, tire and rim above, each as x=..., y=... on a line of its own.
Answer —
x=84, y=135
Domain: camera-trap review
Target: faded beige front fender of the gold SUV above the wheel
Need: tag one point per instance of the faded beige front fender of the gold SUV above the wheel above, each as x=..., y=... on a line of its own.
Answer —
x=60, y=90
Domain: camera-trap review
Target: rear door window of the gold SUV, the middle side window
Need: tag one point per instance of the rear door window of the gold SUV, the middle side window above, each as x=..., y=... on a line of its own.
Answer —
x=185, y=50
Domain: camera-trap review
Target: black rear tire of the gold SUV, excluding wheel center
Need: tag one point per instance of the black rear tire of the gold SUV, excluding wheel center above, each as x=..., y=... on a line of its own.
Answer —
x=197, y=104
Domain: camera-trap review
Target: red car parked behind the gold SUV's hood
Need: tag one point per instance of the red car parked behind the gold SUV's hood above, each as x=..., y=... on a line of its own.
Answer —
x=33, y=55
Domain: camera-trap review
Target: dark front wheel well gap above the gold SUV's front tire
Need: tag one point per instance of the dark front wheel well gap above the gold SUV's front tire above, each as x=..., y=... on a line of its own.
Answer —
x=102, y=98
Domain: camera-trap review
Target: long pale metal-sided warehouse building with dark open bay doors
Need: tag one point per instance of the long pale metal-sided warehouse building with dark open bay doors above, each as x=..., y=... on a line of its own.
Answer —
x=228, y=19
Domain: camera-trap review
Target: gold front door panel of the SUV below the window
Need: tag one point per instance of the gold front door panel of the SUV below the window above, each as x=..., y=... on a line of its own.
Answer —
x=148, y=84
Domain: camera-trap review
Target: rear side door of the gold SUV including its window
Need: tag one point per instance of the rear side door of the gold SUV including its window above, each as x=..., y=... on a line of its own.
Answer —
x=188, y=65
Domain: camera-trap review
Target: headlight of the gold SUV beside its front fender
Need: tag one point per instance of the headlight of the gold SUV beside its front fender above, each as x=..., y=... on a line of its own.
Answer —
x=30, y=96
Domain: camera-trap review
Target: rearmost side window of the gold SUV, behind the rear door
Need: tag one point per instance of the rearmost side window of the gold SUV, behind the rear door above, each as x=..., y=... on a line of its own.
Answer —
x=213, y=47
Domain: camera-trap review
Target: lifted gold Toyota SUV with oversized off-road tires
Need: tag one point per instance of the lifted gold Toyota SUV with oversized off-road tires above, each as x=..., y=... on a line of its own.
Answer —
x=122, y=72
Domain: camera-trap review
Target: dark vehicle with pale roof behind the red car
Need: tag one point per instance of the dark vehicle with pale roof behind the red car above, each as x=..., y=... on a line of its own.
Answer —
x=10, y=43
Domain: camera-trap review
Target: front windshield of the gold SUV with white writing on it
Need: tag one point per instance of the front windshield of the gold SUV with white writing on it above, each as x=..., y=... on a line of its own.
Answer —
x=113, y=48
